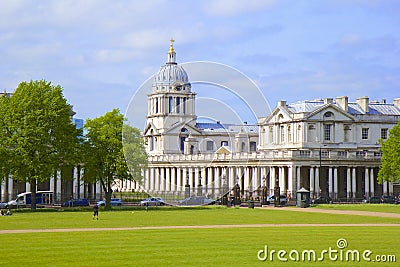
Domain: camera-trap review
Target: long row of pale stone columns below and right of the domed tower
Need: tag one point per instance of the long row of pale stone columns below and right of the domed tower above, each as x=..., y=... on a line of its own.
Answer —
x=172, y=179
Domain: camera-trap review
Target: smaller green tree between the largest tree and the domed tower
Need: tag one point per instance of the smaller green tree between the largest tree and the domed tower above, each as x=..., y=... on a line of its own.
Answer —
x=104, y=159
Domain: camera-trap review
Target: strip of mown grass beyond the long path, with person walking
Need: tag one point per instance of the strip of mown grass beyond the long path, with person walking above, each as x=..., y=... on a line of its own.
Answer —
x=156, y=217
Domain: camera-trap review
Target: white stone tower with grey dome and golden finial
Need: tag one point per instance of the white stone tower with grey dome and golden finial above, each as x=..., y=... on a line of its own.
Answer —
x=171, y=113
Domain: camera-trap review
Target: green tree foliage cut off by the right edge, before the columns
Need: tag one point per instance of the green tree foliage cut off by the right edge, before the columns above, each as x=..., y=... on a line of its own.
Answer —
x=390, y=163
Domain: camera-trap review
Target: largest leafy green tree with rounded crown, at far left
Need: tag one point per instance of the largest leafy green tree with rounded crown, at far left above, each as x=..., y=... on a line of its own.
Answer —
x=38, y=133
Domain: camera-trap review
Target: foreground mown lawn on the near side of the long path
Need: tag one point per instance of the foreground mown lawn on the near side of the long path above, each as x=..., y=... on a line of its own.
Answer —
x=191, y=247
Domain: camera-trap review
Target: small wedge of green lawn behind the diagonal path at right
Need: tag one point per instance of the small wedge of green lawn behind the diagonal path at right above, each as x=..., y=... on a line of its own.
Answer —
x=363, y=207
